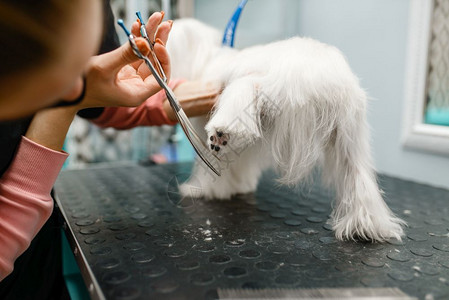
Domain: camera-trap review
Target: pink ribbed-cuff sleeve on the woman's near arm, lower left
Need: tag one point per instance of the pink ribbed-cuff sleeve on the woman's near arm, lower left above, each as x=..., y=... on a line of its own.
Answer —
x=25, y=201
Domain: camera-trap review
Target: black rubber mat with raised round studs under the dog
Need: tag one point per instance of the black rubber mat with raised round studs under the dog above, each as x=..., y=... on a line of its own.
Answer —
x=142, y=241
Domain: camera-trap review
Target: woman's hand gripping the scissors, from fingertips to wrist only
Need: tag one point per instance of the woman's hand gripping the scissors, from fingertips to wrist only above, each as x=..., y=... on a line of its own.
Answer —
x=119, y=78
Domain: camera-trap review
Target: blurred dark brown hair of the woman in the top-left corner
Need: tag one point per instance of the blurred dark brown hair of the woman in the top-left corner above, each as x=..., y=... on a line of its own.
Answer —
x=30, y=30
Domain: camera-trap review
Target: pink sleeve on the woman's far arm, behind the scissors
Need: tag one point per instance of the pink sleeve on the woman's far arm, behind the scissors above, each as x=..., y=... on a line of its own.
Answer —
x=149, y=113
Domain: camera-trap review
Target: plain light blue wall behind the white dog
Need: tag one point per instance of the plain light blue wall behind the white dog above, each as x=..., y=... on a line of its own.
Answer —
x=373, y=36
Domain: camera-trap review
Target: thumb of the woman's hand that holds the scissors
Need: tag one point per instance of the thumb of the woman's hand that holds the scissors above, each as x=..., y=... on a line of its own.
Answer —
x=115, y=60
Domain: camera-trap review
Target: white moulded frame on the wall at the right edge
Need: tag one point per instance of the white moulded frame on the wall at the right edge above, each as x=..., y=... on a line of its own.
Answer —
x=416, y=134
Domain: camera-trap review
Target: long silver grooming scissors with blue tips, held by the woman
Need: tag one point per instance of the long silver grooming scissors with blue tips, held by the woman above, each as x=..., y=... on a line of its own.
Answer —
x=198, y=144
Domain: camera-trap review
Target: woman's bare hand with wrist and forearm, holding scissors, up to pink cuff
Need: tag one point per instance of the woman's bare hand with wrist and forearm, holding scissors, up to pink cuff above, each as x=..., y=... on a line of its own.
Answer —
x=117, y=78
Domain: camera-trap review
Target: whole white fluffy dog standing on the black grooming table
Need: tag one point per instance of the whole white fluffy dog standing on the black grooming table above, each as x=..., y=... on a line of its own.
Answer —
x=292, y=105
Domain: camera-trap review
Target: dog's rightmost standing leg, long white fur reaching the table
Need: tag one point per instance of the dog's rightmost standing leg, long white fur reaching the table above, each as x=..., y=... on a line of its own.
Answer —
x=360, y=211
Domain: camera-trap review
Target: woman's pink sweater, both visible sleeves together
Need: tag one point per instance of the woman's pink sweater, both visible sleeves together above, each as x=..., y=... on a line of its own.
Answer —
x=25, y=201
